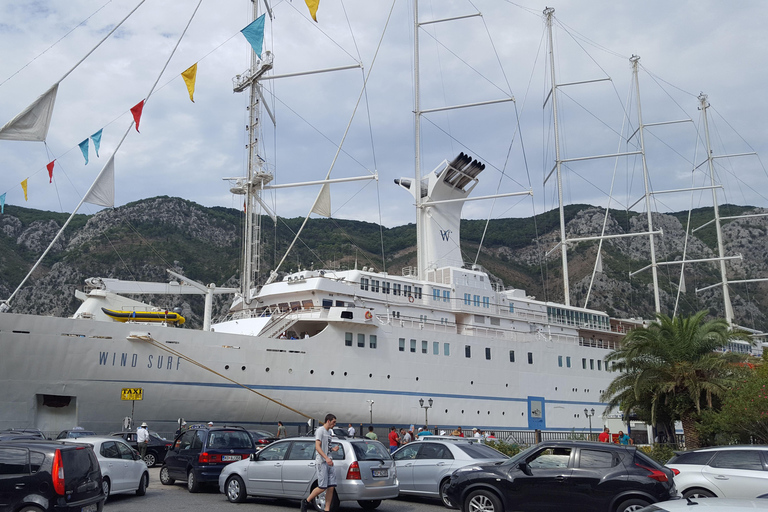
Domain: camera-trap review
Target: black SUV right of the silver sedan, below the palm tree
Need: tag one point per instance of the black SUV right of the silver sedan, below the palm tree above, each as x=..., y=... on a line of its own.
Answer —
x=564, y=475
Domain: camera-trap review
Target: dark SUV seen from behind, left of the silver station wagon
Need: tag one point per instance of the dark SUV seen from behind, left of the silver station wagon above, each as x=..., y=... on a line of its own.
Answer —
x=199, y=454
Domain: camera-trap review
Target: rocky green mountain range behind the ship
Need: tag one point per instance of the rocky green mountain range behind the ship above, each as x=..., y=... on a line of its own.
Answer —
x=140, y=240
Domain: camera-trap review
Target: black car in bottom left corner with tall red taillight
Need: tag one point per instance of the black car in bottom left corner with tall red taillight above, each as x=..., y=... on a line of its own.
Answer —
x=49, y=475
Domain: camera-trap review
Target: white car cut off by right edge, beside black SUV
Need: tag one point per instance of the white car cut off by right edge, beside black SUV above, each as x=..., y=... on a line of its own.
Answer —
x=721, y=471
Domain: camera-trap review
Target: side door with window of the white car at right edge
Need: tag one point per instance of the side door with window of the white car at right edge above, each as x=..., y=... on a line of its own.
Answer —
x=737, y=473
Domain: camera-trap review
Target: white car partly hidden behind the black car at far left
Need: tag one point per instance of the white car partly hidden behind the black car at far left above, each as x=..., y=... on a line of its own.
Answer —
x=122, y=469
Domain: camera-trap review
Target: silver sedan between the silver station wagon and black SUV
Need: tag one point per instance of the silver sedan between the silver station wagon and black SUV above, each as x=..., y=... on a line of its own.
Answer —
x=424, y=468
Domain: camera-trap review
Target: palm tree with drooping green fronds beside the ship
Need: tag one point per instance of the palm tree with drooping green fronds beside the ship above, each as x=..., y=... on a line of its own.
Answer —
x=672, y=366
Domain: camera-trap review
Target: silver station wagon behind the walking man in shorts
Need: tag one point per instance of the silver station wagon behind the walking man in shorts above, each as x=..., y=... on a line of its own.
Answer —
x=365, y=473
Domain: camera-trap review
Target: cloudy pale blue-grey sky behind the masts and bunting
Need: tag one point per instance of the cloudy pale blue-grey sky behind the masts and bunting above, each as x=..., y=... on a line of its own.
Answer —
x=185, y=149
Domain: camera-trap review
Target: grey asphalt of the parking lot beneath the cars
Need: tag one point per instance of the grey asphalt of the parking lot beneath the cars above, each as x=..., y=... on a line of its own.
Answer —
x=176, y=498
